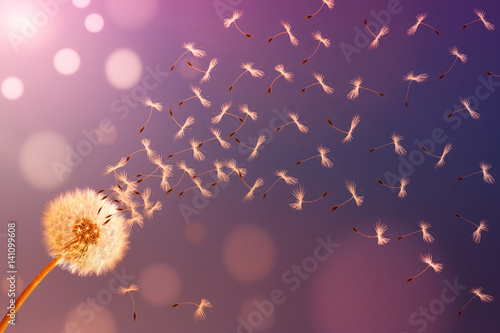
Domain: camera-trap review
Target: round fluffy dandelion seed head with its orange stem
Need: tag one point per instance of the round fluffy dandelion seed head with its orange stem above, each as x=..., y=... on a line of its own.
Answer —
x=78, y=239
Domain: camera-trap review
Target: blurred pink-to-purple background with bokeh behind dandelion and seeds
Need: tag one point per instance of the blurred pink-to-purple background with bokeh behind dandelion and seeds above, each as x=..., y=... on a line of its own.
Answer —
x=73, y=75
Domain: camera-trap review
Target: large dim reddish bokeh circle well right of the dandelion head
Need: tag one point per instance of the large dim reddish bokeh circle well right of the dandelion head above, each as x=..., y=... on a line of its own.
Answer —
x=249, y=253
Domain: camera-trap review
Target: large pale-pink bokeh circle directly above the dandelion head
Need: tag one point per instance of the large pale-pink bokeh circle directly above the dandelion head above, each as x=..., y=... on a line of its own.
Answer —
x=43, y=160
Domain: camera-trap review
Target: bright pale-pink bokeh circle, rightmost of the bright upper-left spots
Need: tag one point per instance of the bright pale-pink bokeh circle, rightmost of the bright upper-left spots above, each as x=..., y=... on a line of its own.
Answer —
x=123, y=69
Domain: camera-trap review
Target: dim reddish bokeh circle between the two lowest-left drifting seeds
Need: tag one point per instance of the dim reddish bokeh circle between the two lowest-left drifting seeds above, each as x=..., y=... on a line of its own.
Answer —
x=159, y=285
